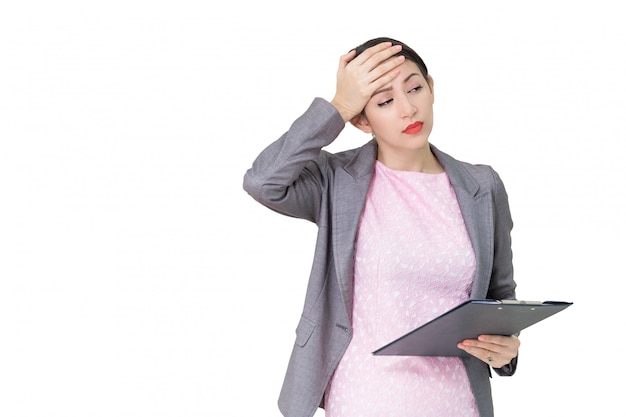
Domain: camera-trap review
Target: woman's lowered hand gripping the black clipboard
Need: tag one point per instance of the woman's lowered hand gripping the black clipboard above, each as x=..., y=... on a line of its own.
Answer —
x=496, y=351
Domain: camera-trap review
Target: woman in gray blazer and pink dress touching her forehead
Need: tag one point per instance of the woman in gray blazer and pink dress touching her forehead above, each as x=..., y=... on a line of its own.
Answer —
x=405, y=232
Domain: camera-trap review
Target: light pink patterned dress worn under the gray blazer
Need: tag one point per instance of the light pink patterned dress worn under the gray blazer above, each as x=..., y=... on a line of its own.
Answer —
x=414, y=261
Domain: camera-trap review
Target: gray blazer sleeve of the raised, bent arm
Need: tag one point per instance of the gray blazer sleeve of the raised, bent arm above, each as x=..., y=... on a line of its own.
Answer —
x=288, y=176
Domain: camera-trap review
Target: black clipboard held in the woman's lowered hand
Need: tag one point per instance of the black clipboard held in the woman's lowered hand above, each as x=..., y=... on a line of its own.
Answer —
x=468, y=320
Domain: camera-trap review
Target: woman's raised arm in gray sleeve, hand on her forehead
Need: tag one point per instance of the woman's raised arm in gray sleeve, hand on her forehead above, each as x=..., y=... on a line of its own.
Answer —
x=288, y=176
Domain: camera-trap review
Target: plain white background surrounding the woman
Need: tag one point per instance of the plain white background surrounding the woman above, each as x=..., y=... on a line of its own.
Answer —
x=138, y=279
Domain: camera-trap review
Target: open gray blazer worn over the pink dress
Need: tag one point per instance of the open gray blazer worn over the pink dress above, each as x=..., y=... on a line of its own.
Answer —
x=295, y=177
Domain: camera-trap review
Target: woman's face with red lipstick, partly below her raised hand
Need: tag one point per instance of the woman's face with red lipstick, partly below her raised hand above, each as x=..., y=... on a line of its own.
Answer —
x=400, y=114
